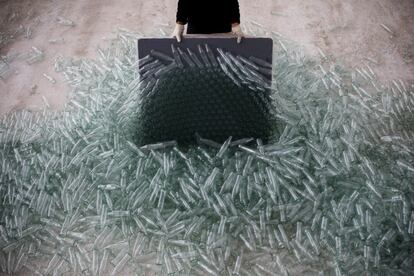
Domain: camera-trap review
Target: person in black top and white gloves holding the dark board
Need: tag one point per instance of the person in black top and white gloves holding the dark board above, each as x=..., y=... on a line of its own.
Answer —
x=208, y=17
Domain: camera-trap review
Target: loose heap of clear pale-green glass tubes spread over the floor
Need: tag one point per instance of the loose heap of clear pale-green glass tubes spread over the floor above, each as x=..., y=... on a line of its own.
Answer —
x=331, y=195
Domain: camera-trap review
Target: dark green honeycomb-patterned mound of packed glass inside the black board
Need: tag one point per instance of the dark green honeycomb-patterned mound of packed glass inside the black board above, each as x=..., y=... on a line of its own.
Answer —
x=203, y=101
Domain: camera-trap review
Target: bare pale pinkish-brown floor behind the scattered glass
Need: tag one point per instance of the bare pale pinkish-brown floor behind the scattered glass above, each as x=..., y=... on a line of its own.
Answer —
x=378, y=32
